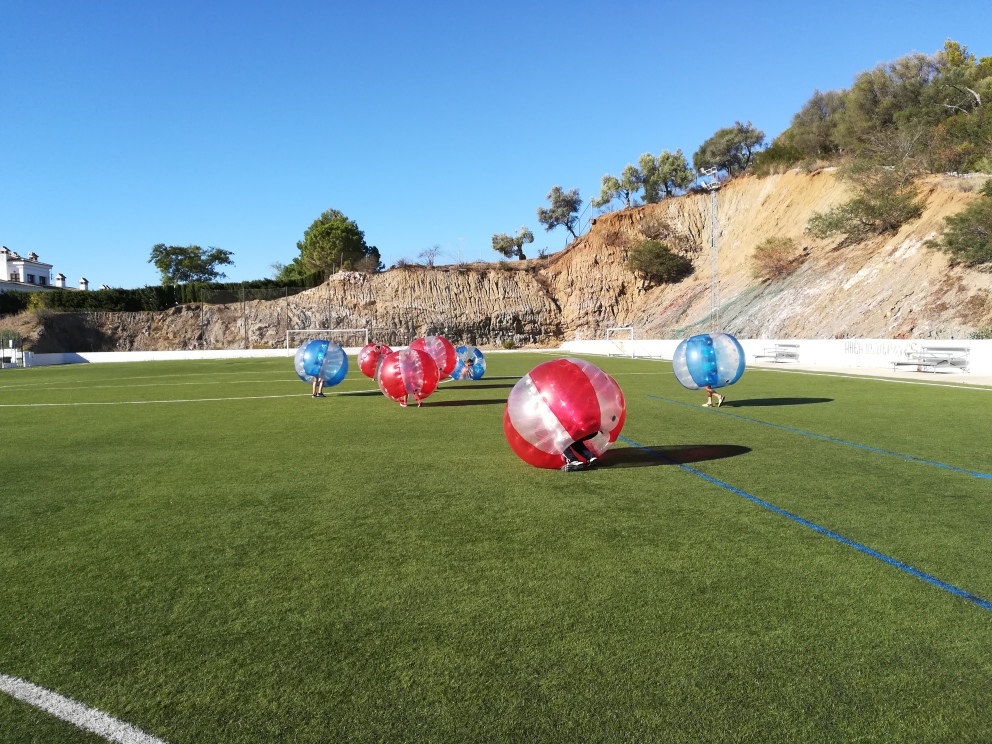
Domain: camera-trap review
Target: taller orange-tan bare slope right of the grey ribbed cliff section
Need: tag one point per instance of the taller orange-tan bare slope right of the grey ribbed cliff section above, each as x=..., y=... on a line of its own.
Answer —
x=888, y=287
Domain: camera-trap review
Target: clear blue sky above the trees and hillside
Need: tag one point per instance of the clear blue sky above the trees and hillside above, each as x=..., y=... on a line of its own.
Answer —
x=235, y=124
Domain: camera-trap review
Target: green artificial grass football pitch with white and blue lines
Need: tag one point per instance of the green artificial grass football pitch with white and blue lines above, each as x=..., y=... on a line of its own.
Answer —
x=279, y=568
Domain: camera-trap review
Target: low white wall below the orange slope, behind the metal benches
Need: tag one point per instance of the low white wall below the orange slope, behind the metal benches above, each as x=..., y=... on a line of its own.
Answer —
x=862, y=352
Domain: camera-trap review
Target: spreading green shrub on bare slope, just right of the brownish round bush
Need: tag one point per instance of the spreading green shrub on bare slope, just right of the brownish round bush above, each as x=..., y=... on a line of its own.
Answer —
x=884, y=200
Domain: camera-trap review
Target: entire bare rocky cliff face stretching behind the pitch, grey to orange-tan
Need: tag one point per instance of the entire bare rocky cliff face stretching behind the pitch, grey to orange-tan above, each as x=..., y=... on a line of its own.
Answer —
x=886, y=287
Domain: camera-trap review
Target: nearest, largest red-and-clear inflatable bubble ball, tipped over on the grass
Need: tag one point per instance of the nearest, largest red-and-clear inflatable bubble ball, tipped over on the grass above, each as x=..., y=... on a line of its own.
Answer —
x=558, y=403
